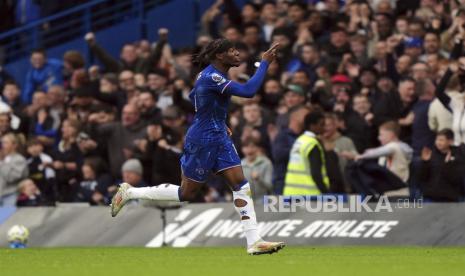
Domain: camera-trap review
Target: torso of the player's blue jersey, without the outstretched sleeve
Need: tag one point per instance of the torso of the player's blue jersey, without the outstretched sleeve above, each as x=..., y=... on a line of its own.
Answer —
x=211, y=103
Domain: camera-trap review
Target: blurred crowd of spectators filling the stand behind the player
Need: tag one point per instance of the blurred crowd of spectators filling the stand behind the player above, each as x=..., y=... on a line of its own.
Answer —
x=388, y=75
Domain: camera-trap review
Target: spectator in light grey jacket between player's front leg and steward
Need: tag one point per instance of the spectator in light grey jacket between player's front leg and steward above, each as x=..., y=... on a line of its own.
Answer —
x=257, y=168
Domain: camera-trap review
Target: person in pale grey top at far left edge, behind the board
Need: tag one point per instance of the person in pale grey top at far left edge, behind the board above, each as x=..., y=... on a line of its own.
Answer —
x=13, y=168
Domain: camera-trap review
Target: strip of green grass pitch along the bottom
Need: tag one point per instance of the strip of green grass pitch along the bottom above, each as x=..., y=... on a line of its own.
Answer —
x=233, y=261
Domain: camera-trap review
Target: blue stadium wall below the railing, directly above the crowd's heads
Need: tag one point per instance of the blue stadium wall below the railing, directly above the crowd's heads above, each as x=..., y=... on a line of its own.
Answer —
x=180, y=16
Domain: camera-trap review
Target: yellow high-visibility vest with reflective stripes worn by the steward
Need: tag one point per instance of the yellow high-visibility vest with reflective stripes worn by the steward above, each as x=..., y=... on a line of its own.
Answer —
x=299, y=180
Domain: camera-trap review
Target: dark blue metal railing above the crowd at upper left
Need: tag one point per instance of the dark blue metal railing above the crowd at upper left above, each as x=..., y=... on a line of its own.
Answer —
x=71, y=23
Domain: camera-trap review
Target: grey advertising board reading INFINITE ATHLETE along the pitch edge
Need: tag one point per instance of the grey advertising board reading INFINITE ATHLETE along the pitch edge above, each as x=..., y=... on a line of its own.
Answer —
x=433, y=224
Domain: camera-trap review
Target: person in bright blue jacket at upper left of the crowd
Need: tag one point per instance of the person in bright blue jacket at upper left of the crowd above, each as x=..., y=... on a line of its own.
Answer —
x=43, y=73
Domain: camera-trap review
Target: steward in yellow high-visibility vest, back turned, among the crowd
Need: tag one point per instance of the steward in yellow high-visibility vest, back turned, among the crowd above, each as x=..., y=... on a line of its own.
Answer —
x=306, y=170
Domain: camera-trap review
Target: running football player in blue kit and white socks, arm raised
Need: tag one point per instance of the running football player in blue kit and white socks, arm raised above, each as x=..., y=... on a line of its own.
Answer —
x=208, y=147
